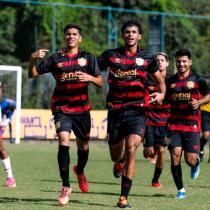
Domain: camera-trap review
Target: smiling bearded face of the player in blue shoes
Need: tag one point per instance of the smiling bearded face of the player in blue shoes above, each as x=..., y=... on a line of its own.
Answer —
x=183, y=64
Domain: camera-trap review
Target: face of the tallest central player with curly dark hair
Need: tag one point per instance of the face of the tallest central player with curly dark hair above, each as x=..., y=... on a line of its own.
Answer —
x=131, y=36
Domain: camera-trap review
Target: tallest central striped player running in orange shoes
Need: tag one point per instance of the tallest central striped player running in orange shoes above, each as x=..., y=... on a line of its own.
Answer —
x=126, y=100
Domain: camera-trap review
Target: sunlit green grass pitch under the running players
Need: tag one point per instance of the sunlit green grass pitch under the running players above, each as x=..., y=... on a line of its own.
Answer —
x=38, y=183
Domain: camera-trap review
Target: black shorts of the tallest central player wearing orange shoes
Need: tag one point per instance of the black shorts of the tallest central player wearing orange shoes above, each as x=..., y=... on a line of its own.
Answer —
x=122, y=123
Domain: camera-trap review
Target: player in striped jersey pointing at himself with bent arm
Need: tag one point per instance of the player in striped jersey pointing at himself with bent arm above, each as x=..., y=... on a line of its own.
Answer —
x=73, y=71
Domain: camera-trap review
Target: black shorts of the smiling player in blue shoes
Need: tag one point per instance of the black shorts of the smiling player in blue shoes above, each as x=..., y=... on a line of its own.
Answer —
x=189, y=141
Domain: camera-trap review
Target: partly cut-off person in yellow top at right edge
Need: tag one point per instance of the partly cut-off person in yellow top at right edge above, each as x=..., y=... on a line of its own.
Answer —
x=205, y=127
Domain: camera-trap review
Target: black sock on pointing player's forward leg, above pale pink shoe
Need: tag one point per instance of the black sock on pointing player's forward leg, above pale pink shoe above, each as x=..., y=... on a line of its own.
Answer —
x=63, y=163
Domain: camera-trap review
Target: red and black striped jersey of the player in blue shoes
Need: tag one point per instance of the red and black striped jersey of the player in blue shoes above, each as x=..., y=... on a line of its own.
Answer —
x=179, y=93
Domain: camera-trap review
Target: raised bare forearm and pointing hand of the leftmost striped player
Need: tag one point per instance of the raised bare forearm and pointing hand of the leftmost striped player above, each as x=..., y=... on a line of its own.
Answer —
x=39, y=54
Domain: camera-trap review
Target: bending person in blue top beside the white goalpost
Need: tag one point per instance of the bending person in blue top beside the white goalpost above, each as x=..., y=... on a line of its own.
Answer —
x=7, y=109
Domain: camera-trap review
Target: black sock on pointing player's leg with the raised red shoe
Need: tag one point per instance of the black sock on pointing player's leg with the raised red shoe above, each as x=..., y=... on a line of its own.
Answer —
x=82, y=160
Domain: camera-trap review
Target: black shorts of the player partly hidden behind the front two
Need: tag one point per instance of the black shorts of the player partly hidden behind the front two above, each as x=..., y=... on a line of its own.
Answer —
x=155, y=136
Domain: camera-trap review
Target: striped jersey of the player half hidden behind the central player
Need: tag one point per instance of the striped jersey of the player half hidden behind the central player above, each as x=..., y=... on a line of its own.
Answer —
x=157, y=115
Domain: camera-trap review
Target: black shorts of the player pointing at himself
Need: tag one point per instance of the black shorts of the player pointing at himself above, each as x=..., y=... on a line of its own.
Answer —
x=79, y=123
